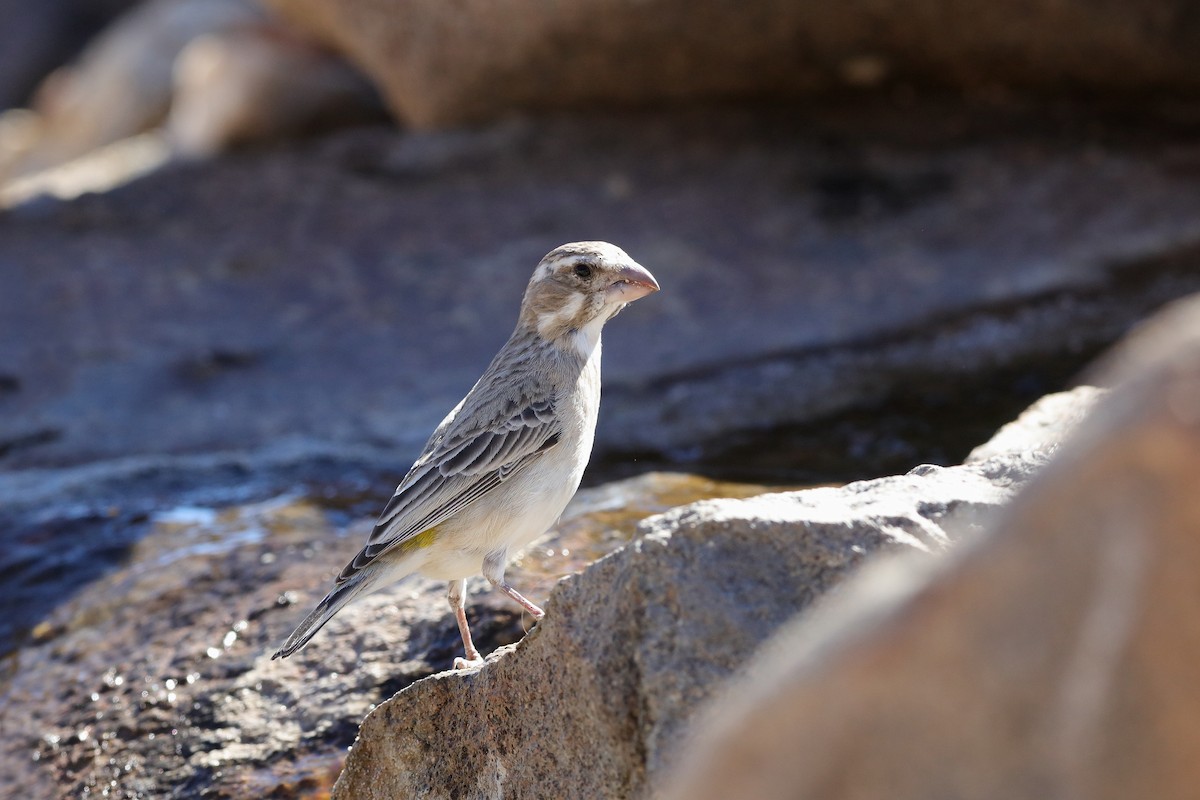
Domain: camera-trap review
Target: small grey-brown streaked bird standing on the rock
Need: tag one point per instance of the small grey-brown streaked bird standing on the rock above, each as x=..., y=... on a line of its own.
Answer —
x=505, y=464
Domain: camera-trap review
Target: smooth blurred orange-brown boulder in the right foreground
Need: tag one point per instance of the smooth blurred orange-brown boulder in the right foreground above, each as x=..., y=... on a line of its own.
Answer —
x=1051, y=660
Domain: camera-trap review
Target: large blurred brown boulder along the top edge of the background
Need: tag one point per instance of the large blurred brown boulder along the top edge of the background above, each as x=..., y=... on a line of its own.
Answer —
x=446, y=65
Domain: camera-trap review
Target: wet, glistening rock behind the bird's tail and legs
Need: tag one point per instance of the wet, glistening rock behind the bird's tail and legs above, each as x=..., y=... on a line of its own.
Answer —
x=152, y=675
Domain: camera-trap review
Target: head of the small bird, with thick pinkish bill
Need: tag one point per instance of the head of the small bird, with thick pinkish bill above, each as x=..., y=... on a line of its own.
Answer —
x=579, y=287
